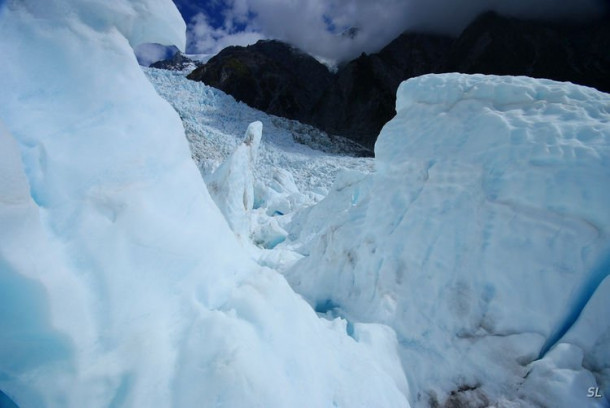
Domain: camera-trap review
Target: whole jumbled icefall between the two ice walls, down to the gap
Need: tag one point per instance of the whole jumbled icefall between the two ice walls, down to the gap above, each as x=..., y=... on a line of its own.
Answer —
x=288, y=176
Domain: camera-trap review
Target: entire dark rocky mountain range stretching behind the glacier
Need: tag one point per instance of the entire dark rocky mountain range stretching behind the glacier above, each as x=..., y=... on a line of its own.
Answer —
x=359, y=98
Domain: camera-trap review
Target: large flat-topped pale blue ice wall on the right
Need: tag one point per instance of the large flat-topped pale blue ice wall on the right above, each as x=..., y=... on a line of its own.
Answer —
x=479, y=239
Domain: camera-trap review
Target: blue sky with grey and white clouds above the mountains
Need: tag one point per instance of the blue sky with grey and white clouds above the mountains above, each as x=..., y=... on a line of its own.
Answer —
x=315, y=26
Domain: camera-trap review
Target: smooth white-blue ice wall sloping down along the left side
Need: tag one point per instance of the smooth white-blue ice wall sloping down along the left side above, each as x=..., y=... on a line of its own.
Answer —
x=120, y=282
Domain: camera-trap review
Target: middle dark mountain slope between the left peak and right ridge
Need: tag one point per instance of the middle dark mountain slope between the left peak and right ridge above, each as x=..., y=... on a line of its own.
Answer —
x=362, y=97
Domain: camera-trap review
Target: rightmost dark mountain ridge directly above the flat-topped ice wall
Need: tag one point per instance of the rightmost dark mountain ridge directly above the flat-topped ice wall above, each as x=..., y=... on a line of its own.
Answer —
x=493, y=44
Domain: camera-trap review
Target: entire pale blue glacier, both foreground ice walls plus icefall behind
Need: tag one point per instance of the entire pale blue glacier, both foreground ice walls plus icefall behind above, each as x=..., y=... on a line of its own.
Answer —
x=162, y=245
